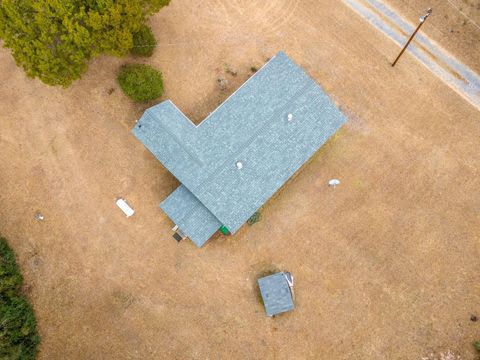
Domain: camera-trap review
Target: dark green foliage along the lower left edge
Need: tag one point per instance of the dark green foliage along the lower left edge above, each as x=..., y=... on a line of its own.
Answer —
x=18, y=327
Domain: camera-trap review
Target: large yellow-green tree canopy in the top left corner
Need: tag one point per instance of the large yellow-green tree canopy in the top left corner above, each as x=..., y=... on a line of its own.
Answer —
x=54, y=39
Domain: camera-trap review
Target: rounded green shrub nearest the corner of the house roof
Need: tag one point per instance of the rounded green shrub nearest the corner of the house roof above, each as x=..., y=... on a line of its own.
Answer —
x=141, y=83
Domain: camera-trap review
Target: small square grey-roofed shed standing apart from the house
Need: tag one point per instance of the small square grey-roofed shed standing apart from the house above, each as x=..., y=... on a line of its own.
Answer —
x=277, y=292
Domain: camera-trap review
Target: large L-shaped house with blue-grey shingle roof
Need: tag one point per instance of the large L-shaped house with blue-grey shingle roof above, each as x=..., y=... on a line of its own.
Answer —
x=243, y=152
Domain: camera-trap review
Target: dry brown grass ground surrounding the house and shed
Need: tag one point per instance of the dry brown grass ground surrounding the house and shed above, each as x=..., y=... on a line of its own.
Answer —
x=386, y=265
